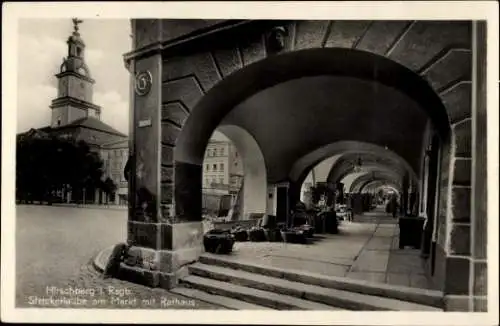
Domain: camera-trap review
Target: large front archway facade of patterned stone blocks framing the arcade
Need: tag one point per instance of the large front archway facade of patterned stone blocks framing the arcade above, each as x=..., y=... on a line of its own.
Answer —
x=189, y=67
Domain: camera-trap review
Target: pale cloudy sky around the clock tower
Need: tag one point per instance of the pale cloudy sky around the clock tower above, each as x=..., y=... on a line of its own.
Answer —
x=41, y=49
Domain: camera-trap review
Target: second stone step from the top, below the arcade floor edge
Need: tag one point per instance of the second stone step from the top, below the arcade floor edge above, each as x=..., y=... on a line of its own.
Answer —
x=328, y=296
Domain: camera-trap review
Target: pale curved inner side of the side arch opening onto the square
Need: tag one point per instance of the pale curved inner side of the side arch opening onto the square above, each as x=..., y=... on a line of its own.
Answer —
x=254, y=195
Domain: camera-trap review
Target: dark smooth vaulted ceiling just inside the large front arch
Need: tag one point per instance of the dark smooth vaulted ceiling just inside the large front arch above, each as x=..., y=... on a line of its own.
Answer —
x=297, y=117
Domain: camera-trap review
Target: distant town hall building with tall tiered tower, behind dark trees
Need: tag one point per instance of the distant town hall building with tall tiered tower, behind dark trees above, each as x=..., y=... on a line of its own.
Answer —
x=75, y=116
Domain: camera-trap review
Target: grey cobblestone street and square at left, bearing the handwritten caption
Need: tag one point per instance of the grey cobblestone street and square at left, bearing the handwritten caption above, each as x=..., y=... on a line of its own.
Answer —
x=54, y=247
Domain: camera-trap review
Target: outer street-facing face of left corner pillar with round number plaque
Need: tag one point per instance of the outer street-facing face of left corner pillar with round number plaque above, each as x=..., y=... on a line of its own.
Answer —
x=148, y=232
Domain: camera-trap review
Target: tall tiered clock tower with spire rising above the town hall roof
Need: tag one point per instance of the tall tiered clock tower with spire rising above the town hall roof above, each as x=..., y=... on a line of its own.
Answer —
x=75, y=85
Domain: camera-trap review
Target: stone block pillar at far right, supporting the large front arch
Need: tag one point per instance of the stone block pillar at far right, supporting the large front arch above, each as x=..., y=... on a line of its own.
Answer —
x=465, y=276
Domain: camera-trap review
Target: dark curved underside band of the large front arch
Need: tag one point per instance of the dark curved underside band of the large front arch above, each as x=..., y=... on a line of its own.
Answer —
x=229, y=92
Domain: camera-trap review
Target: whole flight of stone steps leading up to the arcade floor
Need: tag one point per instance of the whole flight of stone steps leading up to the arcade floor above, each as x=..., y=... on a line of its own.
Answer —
x=239, y=285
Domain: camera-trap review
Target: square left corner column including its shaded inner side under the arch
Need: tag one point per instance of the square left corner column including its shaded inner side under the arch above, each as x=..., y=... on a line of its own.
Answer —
x=164, y=230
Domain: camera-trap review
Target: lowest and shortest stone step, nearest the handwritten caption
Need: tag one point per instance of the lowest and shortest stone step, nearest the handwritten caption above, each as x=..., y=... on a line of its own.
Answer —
x=225, y=302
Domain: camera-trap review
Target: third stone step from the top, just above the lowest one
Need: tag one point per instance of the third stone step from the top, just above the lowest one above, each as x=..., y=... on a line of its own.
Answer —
x=250, y=295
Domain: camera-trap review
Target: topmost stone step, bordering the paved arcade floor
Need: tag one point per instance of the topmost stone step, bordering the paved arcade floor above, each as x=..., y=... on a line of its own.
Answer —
x=419, y=296
